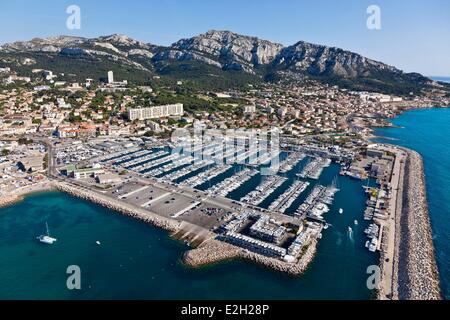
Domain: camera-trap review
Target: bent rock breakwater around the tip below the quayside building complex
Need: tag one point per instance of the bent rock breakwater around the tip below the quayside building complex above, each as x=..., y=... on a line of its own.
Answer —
x=215, y=251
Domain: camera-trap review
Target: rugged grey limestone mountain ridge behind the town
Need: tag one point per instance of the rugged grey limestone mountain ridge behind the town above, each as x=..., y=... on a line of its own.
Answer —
x=228, y=52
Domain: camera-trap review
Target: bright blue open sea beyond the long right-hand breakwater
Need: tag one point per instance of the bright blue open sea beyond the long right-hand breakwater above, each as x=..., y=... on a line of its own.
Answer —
x=428, y=132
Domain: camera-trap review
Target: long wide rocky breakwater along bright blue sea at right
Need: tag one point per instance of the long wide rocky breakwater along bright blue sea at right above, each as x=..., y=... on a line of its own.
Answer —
x=417, y=277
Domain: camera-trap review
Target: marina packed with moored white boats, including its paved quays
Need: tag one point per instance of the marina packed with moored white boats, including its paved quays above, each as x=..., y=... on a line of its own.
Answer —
x=219, y=191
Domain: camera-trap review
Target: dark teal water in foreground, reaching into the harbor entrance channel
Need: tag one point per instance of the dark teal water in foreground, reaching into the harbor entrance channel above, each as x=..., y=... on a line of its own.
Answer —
x=138, y=261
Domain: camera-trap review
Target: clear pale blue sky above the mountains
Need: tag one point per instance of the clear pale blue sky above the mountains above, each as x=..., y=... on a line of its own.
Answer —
x=415, y=34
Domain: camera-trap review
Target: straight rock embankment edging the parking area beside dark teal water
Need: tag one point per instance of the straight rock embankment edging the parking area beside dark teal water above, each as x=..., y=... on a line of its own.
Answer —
x=119, y=206
